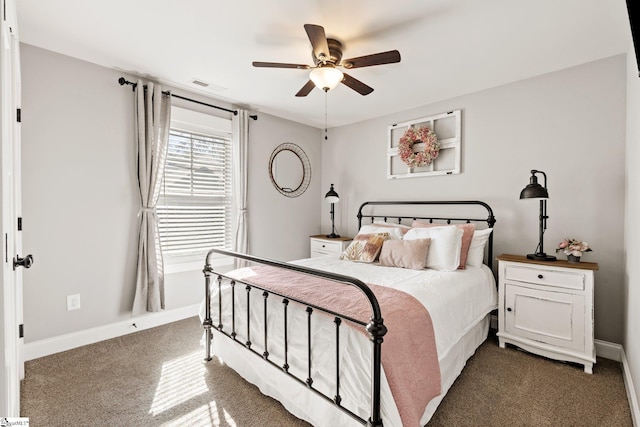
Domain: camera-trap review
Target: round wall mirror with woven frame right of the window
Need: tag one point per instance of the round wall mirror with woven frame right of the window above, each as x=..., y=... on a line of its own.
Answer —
x=289, y=170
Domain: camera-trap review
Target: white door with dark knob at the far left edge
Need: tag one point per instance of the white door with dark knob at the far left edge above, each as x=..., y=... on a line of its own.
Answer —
x=11, y=241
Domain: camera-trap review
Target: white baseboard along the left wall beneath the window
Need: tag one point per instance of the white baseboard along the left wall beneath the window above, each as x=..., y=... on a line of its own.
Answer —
x=45, y=347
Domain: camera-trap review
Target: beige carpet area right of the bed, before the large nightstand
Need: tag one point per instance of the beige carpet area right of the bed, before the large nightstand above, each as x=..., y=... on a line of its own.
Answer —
x=509, y=387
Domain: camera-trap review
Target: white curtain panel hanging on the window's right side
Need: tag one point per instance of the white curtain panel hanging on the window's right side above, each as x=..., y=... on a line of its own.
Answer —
x=240, y=173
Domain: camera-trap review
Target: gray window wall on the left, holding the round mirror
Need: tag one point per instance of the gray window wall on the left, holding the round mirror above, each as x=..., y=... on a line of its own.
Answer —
x=80, y=196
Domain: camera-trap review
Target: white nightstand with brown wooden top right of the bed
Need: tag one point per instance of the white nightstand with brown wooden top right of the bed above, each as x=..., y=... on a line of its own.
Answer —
x=546, y=308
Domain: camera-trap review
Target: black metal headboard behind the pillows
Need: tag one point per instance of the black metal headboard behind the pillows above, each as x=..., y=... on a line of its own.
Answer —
x=490, y=220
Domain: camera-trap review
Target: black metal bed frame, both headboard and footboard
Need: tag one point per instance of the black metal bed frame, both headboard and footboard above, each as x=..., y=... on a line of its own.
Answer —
x=375, y=328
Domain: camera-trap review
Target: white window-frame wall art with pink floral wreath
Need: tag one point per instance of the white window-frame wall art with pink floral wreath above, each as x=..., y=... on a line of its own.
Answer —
x=425, y=147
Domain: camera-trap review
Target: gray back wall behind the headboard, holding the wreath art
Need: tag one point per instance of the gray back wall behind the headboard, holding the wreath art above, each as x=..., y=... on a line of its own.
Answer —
x=570, y=124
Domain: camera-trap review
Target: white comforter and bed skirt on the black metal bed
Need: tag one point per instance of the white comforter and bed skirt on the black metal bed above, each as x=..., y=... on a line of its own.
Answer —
x=458, y=303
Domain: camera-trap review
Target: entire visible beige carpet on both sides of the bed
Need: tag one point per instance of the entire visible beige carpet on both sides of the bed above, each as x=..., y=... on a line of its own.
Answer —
x=157, y=378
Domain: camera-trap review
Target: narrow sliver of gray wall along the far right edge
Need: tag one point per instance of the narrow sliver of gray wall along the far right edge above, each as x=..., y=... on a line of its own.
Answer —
x=631, y=342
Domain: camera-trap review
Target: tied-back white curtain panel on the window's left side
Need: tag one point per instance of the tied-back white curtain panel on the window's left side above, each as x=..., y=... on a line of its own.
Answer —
x=153, y=115
